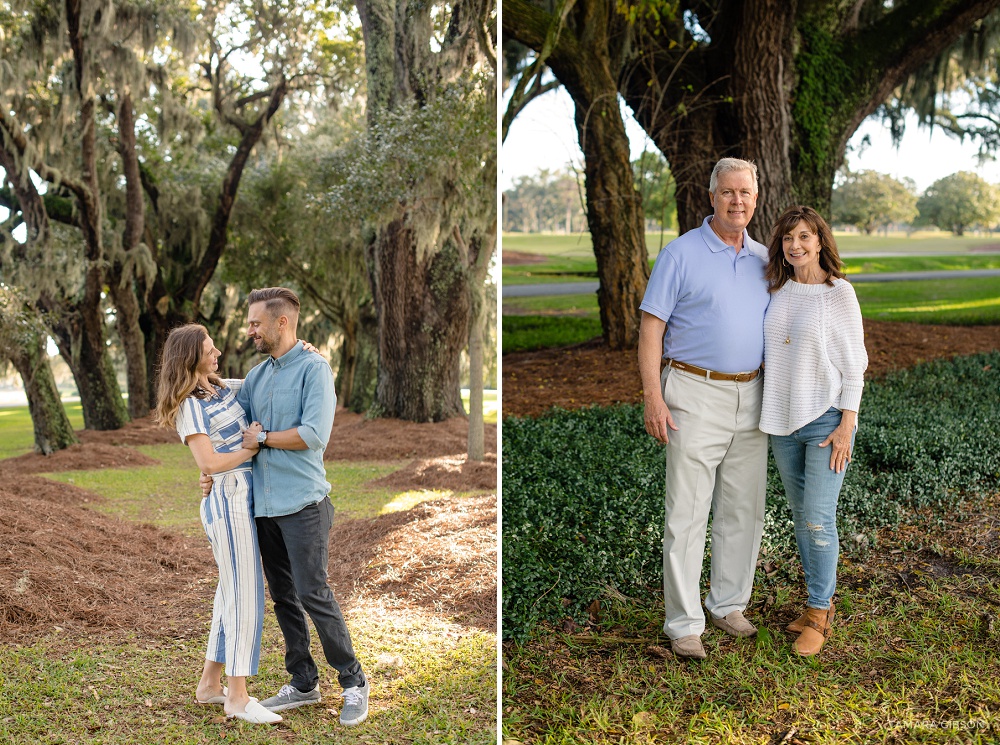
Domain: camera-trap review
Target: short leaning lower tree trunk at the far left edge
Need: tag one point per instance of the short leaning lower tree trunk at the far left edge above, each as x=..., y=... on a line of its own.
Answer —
x=52, y=427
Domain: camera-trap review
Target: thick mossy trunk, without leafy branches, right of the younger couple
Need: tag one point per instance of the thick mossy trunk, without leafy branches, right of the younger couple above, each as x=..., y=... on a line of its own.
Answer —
x=419, y=275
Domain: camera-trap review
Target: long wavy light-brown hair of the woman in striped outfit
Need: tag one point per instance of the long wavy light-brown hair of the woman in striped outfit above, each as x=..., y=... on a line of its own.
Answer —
x=179, y=360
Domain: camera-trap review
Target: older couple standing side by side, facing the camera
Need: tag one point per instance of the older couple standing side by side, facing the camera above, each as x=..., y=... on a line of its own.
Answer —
x=739, y=341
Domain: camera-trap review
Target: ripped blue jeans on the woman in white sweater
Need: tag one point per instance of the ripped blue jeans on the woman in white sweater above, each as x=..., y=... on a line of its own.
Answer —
x=812, y=489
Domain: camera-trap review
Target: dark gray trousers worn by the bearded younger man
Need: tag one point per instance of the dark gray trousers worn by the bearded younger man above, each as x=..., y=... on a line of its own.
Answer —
x=295, y=551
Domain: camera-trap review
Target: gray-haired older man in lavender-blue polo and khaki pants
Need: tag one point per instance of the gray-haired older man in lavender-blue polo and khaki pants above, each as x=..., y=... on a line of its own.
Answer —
x=701, y=347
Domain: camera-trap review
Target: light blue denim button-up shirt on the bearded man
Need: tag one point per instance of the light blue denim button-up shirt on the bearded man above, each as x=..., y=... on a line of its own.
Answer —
x=293, y=391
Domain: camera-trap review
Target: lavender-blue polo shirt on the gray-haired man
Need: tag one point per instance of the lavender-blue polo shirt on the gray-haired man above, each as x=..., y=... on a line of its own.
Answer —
x=712, y=299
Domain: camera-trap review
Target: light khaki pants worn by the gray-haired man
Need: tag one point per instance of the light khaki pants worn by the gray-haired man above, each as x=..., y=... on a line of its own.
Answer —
x=716, y=460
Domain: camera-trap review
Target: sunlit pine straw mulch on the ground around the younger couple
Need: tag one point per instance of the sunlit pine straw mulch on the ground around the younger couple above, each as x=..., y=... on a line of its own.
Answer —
x=64, y=566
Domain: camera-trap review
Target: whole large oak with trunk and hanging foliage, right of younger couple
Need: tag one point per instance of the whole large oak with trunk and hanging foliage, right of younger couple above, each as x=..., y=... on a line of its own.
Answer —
x=426, y=186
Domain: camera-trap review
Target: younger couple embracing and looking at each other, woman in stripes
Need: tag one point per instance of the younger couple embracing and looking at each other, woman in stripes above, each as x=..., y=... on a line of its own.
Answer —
x=259, y=443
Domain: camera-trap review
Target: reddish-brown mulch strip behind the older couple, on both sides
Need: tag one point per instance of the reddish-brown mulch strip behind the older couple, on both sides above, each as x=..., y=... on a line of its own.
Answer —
x=590, y=373
